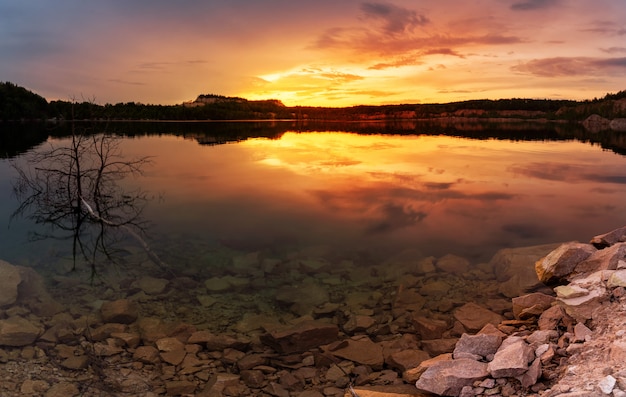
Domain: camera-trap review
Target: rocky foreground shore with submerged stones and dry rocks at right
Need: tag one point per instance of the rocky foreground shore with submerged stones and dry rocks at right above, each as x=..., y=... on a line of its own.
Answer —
x=535, y=321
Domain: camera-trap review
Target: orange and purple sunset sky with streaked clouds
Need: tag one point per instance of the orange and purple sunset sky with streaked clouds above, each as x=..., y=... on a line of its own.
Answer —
x=321, y=53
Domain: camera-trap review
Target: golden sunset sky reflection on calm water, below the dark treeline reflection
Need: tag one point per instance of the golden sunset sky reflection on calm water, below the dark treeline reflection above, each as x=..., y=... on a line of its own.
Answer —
x=354, y=195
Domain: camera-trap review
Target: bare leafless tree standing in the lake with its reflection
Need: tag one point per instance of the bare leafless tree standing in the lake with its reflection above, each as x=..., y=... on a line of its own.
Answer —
x=76, y=188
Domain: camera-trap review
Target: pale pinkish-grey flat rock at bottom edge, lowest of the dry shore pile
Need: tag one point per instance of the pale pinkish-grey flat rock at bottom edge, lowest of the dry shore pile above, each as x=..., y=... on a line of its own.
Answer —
x=447, y=378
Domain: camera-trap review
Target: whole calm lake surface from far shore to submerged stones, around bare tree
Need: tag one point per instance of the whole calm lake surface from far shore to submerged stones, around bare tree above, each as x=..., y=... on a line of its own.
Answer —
x=237, y=199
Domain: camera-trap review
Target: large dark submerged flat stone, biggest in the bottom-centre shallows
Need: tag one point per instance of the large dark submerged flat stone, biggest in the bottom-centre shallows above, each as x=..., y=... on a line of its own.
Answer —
x=301, y=337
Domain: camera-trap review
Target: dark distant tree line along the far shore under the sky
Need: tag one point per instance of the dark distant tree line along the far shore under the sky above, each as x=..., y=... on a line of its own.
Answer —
x=17, y=103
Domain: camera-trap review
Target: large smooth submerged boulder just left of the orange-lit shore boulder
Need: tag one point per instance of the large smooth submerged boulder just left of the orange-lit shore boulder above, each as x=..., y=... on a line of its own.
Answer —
x=514, y=268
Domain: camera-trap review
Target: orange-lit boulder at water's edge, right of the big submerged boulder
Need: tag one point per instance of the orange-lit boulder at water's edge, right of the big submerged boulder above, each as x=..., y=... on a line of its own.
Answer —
x=561, y=262
